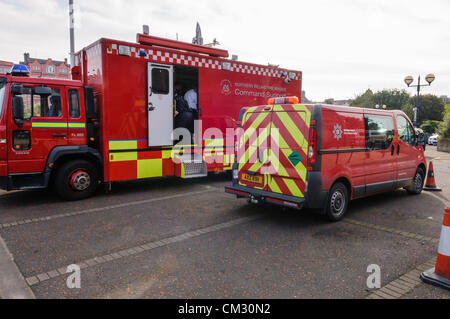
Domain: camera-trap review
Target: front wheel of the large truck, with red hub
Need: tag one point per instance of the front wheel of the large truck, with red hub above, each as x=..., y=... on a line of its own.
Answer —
x=76, y=180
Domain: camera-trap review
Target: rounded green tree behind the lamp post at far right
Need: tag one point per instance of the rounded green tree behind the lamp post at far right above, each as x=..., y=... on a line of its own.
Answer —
x=431, y=108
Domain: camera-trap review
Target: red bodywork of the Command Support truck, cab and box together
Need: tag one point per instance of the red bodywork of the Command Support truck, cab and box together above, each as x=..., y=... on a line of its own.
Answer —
x=120, y=85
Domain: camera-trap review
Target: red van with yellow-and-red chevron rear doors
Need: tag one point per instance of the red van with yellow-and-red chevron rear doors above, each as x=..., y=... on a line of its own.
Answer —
x=323, y=156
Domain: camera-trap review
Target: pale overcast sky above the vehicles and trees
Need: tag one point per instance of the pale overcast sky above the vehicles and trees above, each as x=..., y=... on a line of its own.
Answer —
x=342, y=47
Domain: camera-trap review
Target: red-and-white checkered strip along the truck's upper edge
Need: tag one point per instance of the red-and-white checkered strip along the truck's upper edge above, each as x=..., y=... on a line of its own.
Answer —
x=199, y=62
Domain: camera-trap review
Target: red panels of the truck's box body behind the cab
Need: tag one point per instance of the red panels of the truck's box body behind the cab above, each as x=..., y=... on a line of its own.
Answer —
x=120, y=85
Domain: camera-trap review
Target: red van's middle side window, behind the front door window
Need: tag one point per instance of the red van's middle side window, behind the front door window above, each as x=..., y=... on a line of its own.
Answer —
x=379, y=132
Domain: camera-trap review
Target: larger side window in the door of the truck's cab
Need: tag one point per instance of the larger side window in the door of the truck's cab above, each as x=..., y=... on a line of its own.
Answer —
x=36, y=105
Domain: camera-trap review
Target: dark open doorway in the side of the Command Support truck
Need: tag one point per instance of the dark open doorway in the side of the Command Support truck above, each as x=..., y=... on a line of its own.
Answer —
x=185, y=79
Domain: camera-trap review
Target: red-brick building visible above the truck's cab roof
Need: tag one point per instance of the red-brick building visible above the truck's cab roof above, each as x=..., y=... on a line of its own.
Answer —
x=49, y=68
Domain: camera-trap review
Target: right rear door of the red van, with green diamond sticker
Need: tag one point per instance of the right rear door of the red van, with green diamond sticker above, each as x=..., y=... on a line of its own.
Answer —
x=289, y=148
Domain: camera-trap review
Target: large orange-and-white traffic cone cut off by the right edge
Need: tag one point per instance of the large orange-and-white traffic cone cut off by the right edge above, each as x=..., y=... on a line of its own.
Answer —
x=440, y=275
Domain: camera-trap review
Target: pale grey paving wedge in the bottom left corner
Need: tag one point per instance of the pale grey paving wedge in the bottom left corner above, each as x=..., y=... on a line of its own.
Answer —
x=12, y=283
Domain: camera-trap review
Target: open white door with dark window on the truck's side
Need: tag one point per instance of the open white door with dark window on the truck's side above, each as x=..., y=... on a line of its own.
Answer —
x=160, y=104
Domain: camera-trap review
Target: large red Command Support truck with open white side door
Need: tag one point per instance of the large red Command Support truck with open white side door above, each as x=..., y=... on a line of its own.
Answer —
x=114, y=120
